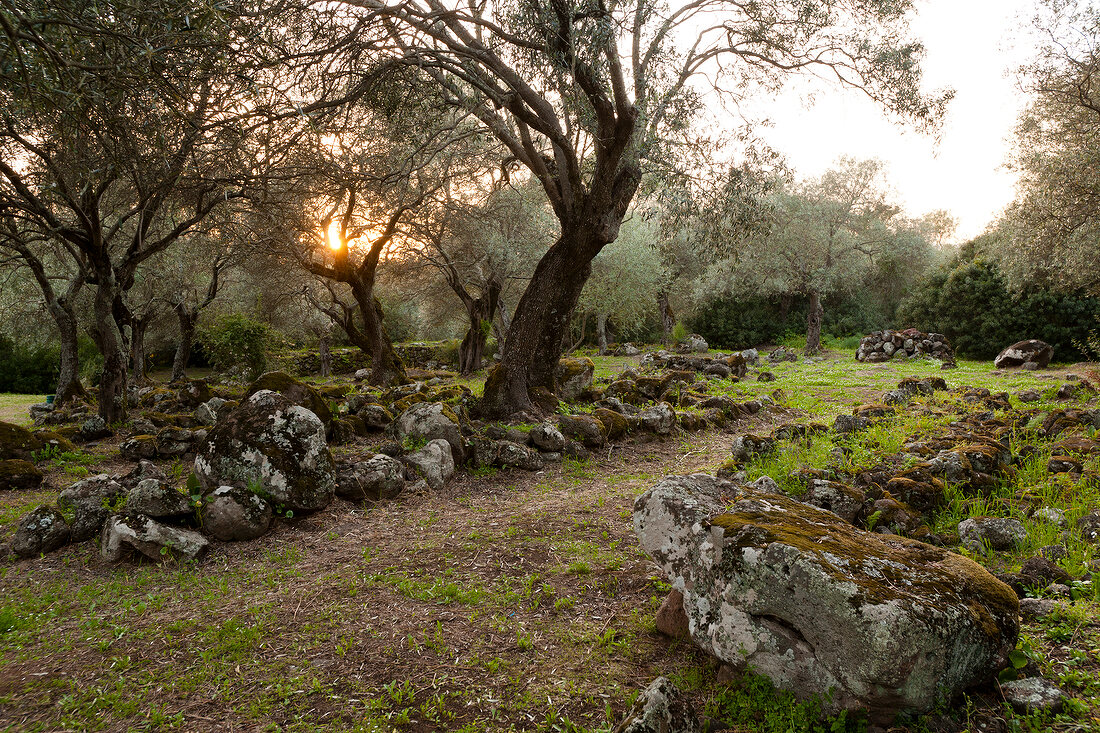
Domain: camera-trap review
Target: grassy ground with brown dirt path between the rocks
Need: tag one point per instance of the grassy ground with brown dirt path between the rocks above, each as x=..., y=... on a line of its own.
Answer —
x=508, y=601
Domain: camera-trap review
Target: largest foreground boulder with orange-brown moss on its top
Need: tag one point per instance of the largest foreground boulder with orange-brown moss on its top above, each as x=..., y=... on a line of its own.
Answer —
x=800, y=596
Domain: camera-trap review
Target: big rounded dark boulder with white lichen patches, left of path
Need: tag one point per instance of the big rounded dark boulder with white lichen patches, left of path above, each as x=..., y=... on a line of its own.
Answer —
x=274, y=446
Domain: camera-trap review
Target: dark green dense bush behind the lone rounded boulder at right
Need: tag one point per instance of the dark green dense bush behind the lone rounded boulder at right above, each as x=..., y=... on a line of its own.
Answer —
x=971, y=302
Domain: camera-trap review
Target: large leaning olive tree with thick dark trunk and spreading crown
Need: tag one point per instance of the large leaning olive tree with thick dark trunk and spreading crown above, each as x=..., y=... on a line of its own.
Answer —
x=589, y=97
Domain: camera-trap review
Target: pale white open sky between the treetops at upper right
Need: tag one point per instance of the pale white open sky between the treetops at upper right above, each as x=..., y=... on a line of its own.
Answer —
x=974, y=47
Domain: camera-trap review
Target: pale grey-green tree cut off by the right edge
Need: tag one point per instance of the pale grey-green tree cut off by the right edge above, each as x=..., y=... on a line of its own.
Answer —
x=1055, y=221
